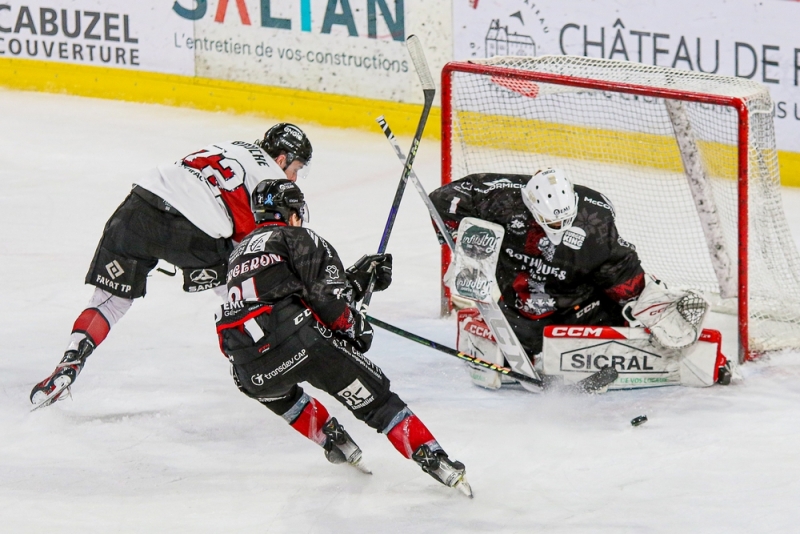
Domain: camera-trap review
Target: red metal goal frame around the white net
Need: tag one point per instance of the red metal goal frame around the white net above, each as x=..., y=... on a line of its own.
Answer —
x=737, y=103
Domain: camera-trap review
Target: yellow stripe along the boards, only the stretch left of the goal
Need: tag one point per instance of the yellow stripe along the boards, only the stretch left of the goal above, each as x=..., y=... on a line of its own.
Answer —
x=214, y=95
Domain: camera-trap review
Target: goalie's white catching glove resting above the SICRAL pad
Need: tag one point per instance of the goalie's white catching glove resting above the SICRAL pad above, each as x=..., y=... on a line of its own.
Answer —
x=674, y=317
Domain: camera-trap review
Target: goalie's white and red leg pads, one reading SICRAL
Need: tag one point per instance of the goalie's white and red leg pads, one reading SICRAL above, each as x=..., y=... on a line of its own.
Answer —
x=576, y=352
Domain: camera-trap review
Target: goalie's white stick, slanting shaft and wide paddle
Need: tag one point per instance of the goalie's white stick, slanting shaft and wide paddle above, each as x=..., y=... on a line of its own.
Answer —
x=491, y=313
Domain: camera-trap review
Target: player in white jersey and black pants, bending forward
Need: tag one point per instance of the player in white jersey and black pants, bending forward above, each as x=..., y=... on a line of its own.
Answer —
x=189, y=213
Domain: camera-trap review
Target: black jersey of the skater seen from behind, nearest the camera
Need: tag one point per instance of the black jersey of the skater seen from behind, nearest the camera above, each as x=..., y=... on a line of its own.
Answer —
x=277, y=261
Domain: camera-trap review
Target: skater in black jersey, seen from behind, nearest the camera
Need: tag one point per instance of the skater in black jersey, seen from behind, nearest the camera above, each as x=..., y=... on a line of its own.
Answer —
x=290, y=318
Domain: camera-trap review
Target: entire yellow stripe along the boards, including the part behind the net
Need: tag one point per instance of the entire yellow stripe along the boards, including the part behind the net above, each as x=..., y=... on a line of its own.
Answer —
x=353, y=112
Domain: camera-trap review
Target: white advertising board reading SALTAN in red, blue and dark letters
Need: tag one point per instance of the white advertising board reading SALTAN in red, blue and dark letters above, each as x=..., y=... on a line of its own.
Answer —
x=344, y=47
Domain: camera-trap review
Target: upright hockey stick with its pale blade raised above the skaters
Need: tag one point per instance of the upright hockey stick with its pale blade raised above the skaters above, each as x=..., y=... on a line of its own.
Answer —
x=428, y=90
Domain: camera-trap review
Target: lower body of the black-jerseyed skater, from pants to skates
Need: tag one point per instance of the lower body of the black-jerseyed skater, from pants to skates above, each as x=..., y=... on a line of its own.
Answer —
x=270, y=373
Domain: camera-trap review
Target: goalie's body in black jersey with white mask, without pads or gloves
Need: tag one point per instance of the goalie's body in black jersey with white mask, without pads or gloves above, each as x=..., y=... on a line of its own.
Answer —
x=562, y=259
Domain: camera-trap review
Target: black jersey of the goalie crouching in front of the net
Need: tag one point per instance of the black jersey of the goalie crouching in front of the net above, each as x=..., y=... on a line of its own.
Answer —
x=537, y=277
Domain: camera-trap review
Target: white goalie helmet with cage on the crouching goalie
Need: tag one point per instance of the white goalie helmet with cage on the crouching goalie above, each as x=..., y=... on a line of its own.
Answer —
x=550, y=197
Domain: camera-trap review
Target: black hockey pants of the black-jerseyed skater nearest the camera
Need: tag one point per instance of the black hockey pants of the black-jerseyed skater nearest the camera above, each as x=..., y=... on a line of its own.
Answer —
x=304, y=350
